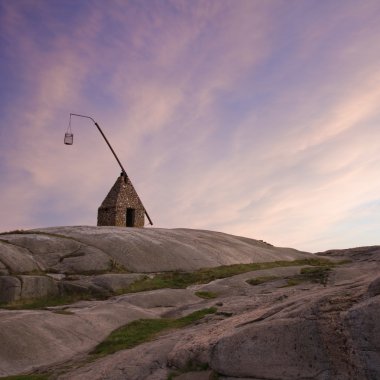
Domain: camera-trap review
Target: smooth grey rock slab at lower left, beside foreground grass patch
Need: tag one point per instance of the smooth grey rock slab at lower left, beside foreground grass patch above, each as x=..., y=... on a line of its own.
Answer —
x=31, y=339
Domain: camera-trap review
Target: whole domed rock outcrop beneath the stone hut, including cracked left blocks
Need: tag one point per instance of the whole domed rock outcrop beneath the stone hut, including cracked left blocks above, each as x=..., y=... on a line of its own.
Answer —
x=105, y=260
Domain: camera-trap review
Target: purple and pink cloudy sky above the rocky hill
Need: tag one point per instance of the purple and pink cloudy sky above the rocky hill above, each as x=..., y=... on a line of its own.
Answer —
x=254, y=118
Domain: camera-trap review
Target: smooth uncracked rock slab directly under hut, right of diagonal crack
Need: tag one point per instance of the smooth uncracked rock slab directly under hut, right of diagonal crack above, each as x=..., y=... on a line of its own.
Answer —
x=159, y=250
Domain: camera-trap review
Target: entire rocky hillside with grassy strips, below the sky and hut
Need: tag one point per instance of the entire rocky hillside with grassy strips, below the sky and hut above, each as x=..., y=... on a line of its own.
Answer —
x=228, y=307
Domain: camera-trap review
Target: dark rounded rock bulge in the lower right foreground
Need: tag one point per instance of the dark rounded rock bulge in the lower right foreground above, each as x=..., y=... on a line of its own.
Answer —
x=295, y=344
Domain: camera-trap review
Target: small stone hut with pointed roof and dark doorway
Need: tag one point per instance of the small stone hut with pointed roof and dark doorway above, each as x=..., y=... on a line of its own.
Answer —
x=122, y=206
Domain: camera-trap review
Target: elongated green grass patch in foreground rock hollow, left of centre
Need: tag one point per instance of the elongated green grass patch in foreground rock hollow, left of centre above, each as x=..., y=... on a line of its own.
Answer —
x=144, y=330
